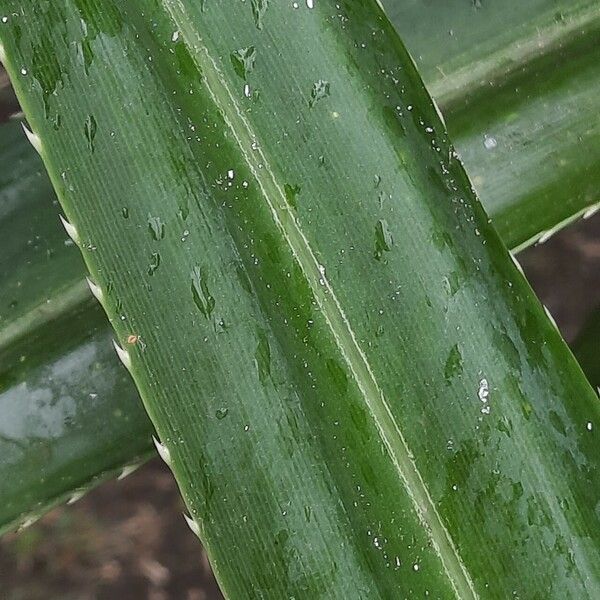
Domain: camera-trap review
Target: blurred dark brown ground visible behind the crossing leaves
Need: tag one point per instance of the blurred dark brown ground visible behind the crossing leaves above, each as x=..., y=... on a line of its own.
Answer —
x=127, y=539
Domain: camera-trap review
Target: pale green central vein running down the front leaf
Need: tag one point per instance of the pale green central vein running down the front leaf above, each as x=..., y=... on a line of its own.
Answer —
x=331, y=309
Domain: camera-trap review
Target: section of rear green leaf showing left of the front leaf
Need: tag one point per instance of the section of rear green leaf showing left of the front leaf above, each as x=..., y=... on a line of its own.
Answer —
x=70, y=415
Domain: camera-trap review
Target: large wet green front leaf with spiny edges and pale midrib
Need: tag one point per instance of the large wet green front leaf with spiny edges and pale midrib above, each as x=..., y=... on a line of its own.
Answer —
x=357, y=392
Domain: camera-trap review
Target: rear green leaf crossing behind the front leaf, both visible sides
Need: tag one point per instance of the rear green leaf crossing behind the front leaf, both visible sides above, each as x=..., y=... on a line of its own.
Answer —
x=461, y=49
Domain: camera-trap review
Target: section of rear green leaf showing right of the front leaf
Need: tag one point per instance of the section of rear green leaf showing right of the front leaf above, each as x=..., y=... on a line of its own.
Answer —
x=518, y=83
